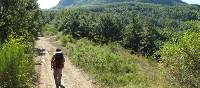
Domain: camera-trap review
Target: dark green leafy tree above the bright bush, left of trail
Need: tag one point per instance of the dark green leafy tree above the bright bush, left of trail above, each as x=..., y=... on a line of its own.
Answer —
x=20, y=18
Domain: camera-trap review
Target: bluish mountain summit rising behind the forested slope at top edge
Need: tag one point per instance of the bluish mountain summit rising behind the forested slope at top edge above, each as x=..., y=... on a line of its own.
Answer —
x=64, y=3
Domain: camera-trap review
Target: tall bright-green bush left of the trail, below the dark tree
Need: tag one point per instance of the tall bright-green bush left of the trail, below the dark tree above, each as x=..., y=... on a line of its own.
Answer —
x=16, y=64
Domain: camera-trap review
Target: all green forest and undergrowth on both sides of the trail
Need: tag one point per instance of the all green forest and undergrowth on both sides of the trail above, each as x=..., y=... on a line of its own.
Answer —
x=130, y=45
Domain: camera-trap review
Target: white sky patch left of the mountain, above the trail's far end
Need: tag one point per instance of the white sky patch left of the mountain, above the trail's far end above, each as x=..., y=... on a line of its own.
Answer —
x=46, y=4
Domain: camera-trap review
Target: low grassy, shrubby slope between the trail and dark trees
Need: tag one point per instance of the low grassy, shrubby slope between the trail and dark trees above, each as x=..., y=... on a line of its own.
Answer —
x=113, y=66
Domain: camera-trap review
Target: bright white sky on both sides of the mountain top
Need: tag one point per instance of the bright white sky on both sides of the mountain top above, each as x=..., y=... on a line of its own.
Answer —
x=46, y=4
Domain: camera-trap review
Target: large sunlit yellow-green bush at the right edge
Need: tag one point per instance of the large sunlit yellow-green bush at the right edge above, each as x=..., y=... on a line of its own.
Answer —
x=182, y=60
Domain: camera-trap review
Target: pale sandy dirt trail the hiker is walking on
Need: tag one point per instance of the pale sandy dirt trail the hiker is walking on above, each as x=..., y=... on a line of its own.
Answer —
x=72, y=77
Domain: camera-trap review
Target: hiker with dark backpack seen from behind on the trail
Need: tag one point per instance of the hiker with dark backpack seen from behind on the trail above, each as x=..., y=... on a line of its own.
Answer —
x=57, y=64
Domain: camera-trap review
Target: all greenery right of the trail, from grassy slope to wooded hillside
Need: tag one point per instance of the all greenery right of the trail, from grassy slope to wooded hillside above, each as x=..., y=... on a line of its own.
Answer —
x=108, y=38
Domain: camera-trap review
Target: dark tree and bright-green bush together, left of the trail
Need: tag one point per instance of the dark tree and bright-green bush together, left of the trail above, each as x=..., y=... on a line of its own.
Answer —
x=19, y=24
